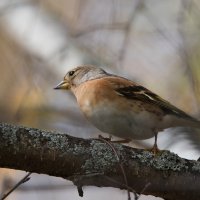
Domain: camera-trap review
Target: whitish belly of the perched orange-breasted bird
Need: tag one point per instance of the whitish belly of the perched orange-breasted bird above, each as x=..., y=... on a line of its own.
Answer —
x=123, y=124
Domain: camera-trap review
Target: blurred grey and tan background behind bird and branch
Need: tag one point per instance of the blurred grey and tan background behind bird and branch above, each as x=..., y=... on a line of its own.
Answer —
x=153, y=42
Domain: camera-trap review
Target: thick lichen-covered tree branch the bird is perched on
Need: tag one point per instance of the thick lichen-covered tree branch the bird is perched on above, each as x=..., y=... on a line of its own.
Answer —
x=93, y=162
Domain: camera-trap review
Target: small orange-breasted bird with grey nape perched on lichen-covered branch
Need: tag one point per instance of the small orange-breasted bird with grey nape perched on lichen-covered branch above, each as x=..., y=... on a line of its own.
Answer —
x=121, y=107
